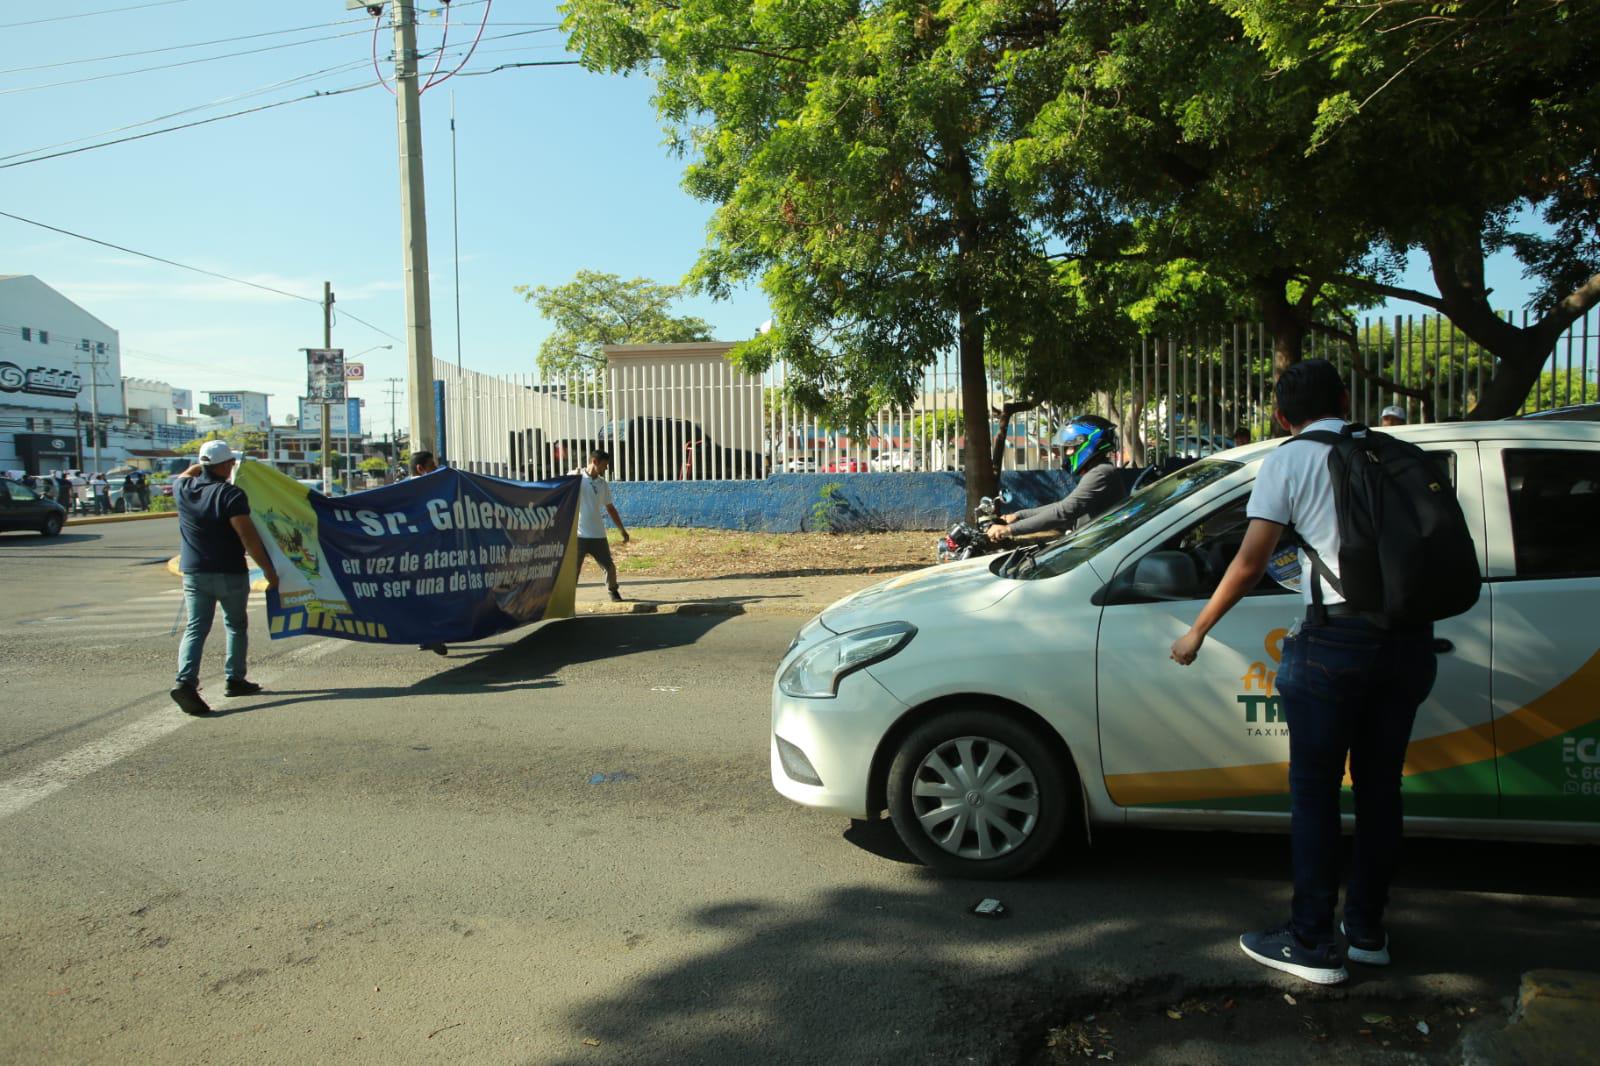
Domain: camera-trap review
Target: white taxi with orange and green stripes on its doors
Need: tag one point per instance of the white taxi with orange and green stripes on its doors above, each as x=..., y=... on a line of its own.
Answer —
x=994, y=703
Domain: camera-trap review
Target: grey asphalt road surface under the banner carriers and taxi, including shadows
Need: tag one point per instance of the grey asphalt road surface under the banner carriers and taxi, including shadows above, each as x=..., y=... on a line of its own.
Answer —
x=562, y=848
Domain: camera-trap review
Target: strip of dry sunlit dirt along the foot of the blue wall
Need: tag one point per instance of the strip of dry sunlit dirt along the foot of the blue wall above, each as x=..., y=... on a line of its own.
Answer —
x=724, y=555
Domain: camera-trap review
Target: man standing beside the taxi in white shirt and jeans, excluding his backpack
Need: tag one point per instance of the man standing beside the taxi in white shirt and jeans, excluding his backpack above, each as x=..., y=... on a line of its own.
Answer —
x=1350, y=689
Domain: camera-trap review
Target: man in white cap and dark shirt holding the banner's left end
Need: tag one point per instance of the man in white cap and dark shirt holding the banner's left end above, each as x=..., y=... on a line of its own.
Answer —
x=214, y=521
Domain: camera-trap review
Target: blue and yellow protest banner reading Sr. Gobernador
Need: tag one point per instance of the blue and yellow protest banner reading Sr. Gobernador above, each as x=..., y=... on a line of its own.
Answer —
x=436, y=559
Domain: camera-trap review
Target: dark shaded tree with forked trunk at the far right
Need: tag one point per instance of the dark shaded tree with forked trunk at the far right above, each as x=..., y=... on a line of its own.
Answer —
x=1502, y=103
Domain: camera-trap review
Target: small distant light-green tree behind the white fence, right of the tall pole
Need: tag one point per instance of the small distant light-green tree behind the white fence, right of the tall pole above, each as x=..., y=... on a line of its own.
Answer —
x=596, y=310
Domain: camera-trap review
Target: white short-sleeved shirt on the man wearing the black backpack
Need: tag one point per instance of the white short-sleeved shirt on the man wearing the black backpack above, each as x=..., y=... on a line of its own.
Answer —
x=1294, y=487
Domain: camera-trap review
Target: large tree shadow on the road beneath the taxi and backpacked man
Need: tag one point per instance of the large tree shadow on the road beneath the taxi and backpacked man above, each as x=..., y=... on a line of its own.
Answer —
x=908, y=974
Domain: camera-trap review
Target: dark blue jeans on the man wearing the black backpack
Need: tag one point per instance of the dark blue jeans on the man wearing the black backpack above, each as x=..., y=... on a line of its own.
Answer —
x=1350, y=691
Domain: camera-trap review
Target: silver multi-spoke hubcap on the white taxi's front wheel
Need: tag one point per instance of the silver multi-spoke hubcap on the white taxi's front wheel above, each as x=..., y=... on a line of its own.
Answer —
x=975, y=798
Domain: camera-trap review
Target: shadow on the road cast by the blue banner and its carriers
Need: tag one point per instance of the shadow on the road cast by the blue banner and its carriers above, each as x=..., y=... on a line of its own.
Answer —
x=532, y=663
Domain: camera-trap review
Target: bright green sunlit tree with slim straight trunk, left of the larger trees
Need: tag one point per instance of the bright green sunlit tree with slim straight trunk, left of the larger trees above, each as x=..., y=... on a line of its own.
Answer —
x=847, y=151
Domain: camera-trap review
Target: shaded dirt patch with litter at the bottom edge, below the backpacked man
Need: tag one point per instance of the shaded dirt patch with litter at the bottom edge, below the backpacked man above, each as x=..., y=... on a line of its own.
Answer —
x=1258, y=1025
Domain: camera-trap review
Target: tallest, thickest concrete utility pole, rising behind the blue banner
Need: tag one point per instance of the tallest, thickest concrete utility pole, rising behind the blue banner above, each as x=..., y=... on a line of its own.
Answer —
x=414, y=220
